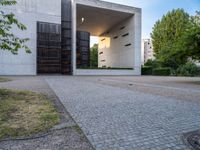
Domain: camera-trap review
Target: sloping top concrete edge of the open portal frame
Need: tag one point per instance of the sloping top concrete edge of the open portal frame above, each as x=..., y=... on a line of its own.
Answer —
x=109, y=5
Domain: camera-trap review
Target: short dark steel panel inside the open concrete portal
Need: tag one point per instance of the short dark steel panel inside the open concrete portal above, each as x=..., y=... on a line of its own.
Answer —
x=83, y=49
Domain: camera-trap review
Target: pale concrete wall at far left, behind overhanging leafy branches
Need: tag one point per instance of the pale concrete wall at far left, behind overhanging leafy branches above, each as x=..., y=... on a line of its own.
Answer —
x=28, y=12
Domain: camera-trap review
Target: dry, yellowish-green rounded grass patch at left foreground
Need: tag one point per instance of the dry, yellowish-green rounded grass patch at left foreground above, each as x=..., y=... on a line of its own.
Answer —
x=23, y=113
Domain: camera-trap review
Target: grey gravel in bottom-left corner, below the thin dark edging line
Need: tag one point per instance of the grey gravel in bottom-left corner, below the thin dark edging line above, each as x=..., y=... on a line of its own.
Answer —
x=65, y=139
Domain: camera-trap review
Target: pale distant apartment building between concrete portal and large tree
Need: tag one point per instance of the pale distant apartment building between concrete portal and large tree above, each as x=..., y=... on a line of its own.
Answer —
x=147, y=50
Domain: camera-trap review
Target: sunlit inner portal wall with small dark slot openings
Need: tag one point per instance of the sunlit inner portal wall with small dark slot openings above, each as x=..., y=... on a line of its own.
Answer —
x=115, y=53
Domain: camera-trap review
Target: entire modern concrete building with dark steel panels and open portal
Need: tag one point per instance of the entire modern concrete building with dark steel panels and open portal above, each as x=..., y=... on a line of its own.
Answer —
x=59, y=32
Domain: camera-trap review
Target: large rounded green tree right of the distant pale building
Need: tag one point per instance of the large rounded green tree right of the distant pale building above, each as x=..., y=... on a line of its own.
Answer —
x=166, y=35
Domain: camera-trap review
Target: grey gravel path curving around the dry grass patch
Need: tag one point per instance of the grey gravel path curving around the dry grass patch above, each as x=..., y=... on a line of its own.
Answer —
x=64, y=136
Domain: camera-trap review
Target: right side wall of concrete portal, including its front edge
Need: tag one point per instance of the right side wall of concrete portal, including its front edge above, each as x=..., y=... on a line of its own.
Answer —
x=114, y=52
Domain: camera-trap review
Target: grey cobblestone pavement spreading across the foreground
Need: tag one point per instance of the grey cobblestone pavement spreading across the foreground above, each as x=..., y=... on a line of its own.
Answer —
x=117, y=118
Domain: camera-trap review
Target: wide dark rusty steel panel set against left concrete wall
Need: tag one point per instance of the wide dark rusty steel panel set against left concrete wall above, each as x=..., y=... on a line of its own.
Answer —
x=48, y=48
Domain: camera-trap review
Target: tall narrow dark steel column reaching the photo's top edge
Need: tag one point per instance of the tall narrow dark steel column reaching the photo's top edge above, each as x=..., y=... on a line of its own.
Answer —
x=66, y=35
